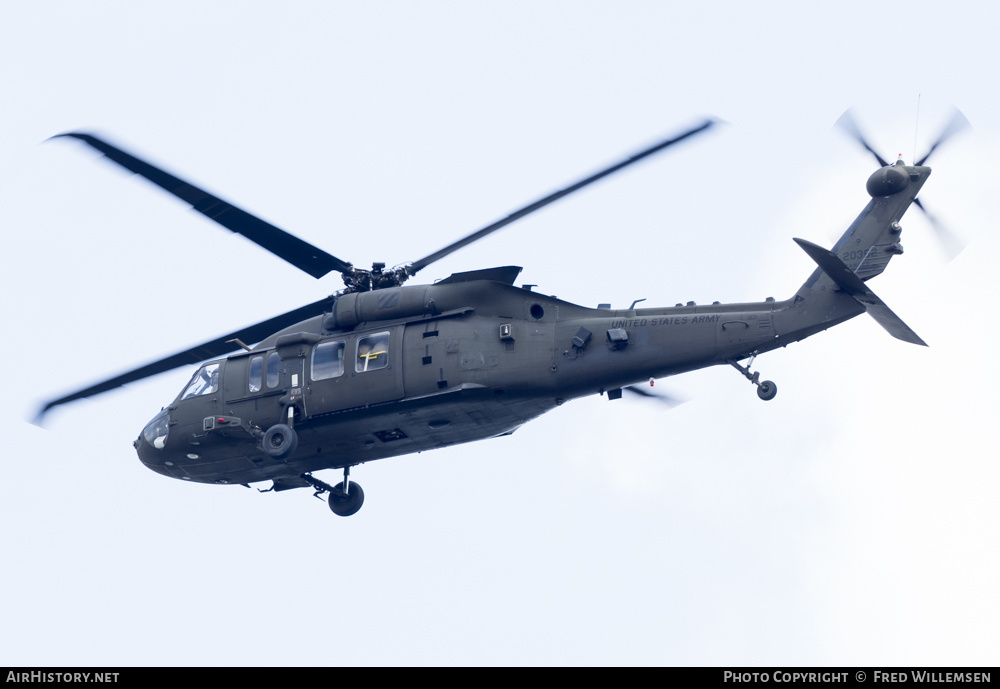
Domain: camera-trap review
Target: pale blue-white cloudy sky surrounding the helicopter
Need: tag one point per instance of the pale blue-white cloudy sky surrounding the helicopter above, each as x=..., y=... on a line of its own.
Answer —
x=852, y=520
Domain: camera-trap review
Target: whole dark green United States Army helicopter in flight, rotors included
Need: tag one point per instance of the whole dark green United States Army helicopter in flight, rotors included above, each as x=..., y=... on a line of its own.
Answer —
x=382, y=369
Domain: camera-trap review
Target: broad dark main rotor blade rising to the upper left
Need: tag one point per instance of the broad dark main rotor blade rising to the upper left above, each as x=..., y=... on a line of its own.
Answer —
x=299, y=253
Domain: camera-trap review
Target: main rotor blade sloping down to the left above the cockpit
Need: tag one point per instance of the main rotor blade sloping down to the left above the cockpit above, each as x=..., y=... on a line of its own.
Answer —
x=207, y=350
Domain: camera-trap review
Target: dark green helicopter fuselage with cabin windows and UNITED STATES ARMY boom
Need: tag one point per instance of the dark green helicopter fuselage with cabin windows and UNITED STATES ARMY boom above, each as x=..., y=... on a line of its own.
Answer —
x=412, y=368
